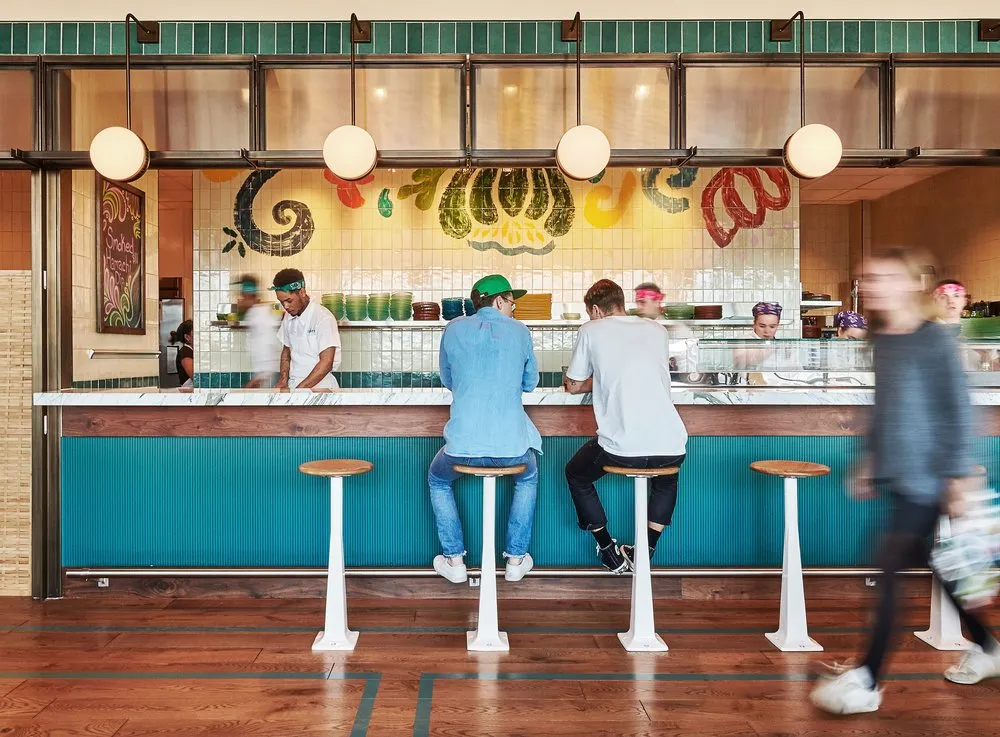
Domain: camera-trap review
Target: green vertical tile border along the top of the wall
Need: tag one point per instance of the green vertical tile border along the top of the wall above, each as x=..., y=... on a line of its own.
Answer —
x=494, y=37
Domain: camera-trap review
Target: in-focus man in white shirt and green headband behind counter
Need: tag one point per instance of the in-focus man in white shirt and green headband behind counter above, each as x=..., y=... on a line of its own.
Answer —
x=309, y=335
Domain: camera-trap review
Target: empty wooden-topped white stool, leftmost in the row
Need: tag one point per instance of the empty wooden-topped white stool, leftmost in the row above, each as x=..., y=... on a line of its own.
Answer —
x=335, y=634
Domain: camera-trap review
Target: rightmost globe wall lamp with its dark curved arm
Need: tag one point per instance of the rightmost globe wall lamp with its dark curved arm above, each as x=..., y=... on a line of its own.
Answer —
x=813, y=150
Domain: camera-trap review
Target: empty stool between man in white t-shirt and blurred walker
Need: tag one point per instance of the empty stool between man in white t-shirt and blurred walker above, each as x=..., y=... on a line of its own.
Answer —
x=793, y=631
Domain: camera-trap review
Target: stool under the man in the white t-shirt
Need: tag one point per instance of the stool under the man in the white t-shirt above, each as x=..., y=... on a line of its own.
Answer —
x=641, y=635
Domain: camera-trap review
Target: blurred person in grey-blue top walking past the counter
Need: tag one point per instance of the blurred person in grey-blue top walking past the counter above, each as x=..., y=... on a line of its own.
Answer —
x=919, y=452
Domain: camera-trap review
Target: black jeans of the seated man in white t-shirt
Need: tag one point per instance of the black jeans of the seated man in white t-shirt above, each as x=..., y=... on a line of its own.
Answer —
x=587, y=466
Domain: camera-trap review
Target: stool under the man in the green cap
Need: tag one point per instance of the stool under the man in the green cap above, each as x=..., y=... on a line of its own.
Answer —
x=487, y=636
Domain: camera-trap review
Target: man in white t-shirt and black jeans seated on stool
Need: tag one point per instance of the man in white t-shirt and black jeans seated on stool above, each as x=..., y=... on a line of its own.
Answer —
x=624, y=360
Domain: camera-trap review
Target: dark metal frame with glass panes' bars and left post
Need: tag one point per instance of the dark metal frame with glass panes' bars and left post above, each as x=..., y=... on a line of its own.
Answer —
x=51, y=334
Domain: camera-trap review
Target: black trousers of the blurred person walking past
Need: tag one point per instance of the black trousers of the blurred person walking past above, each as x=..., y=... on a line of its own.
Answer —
x=908, y=545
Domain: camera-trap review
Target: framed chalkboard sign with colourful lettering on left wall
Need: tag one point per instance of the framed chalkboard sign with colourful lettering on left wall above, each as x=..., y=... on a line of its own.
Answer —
x=121, y=258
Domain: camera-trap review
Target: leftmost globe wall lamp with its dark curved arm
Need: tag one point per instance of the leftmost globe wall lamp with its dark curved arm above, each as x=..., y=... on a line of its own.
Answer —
x=117, y=153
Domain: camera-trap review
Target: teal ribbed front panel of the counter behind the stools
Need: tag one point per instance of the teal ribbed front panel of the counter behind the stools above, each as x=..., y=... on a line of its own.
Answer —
x=242, y=503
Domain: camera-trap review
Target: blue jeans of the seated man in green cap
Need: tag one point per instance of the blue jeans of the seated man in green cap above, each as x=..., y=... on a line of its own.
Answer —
x=522, y=509
